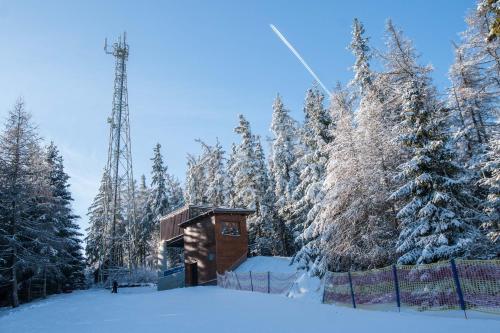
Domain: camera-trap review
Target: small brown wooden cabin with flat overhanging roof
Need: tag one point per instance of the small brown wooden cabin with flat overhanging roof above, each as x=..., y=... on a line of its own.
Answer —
x=214, y=240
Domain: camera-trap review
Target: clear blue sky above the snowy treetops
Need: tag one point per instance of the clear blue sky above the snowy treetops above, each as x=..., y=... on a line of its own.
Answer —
x=193, y=67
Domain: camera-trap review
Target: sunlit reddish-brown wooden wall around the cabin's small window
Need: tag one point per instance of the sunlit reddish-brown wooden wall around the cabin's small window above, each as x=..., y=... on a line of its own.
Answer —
x=230, y=250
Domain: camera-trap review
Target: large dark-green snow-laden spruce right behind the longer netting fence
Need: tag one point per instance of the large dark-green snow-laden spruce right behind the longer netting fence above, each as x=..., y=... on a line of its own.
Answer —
x=438, y=218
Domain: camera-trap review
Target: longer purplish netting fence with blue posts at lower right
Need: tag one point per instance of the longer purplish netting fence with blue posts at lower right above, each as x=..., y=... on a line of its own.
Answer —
x=456, y=284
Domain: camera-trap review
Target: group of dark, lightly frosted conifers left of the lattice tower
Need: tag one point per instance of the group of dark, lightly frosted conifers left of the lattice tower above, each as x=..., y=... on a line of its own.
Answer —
x=40, y=245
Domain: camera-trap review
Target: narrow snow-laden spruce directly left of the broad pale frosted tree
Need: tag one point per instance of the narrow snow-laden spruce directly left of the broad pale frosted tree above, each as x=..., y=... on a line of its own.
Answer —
x=315, y=135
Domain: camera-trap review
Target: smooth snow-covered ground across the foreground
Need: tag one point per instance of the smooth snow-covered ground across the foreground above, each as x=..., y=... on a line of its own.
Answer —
x=214, y=310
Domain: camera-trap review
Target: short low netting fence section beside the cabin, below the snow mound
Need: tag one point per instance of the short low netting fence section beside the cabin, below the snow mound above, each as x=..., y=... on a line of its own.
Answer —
x=266, y=282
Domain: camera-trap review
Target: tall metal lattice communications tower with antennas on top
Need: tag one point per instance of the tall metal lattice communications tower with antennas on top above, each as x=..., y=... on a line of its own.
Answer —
x=120, y=196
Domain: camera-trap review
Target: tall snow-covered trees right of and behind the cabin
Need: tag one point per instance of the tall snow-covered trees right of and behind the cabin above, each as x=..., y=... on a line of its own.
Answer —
x=392, y=170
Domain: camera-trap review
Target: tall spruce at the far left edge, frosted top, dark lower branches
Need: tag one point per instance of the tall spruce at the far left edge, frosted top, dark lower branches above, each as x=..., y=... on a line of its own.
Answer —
x=21, y=235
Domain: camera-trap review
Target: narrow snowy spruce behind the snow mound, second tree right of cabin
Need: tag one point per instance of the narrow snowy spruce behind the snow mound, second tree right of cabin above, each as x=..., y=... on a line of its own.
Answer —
x=285, y=177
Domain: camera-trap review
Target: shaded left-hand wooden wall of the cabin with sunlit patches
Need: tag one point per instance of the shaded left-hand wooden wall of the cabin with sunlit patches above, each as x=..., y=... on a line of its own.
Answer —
x=199, y=247
